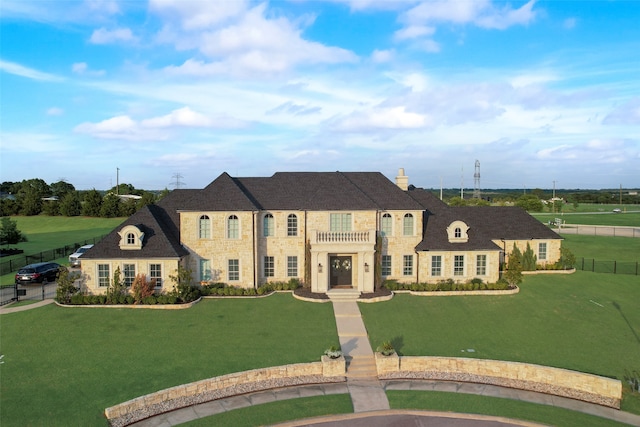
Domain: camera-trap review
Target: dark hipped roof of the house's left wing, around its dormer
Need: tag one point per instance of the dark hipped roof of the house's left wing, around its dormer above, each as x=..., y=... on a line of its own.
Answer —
x=160, y=237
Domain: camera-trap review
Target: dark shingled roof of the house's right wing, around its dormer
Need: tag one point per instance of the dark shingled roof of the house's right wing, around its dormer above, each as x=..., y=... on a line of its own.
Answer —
x=486, y=223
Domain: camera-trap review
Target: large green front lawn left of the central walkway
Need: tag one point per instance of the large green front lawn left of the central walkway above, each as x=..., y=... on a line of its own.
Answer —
x=65, y=366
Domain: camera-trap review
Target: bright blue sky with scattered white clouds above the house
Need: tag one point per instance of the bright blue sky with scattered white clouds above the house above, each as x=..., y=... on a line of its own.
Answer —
x=537, y=91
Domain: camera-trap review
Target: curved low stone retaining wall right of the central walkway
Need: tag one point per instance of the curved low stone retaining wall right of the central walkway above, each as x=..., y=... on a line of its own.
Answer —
x=525, y=376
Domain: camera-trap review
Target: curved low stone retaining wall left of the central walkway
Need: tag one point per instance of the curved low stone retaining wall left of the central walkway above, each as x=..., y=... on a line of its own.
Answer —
x=214, y=388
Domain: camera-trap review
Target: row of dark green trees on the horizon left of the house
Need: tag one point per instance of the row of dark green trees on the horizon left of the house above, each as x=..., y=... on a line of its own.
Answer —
x=34, y=197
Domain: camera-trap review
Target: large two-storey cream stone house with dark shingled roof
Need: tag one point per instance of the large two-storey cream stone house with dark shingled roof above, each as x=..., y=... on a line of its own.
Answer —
x=328, y=229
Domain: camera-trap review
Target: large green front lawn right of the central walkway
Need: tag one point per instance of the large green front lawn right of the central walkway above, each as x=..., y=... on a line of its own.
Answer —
x=586, y=322
